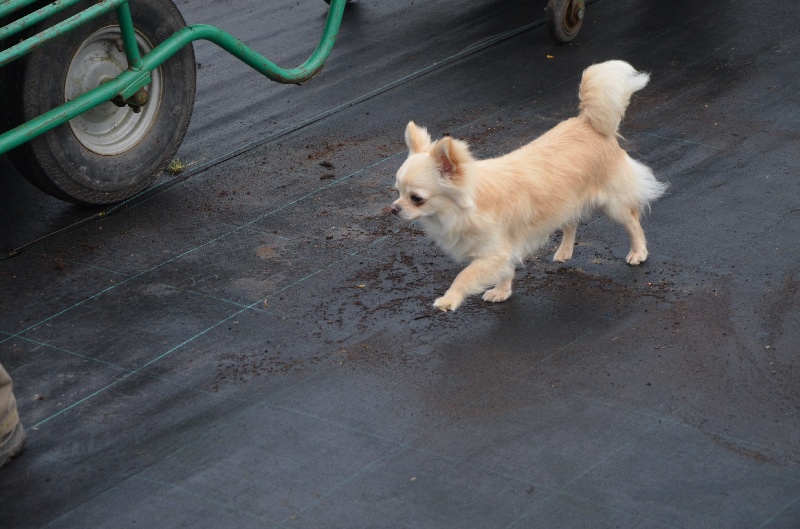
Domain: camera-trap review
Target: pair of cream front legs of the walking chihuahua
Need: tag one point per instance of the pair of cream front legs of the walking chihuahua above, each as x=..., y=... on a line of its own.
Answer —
x=479, y=275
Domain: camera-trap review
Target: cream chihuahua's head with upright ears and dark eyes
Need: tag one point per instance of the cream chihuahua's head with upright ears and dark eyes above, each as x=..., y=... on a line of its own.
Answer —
x=434, y=178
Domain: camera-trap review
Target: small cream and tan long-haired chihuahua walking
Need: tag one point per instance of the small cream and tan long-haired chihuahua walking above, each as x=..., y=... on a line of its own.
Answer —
x=495, y=212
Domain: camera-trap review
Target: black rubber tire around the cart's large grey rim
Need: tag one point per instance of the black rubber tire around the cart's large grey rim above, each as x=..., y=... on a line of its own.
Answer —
x=56, y=162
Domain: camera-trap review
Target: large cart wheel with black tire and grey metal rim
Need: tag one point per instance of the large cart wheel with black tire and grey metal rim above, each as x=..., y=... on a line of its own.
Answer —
x=109, y=153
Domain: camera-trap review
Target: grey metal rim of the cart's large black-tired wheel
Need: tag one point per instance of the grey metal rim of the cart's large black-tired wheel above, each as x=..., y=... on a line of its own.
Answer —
x=108, y=129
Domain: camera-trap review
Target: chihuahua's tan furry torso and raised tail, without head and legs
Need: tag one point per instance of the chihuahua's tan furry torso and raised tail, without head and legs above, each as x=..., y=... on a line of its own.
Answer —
x=572, y=169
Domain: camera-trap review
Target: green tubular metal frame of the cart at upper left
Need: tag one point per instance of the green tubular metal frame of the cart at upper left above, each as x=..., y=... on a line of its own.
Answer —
x=138, y=73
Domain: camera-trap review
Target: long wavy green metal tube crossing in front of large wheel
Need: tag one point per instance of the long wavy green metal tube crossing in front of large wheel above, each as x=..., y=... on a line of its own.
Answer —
x=135, y=78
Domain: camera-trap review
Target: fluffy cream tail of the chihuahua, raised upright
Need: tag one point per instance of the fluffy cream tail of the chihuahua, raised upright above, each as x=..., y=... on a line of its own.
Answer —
x=605, y=92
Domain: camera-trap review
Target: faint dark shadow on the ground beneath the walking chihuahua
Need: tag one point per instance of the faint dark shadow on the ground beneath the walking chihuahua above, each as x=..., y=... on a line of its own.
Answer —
x=548, y=314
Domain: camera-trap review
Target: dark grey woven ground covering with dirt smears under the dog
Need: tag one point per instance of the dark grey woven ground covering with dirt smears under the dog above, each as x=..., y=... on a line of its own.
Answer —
x=252, y=344
